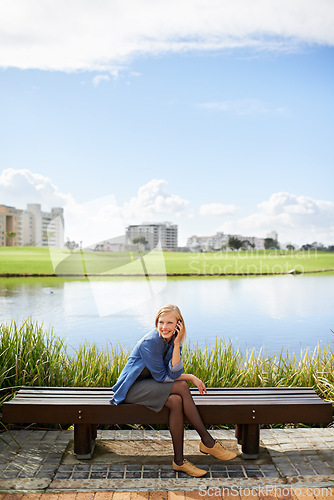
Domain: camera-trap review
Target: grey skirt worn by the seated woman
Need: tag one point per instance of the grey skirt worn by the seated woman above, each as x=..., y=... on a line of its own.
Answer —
x=150, y=393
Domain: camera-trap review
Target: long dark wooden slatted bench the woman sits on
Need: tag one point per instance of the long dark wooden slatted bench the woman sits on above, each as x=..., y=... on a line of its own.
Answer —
x=245, y=407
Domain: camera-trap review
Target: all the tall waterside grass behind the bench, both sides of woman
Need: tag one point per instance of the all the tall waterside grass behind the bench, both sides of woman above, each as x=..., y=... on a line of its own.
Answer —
x=31, y=356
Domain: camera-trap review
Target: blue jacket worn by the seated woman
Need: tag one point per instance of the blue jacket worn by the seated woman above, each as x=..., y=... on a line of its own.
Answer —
x=153, y=352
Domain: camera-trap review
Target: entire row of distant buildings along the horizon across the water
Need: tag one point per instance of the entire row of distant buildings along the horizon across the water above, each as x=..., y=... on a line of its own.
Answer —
x=35, y=227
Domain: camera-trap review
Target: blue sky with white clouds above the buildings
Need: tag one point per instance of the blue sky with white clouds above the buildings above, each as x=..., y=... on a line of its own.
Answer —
x=222, y=122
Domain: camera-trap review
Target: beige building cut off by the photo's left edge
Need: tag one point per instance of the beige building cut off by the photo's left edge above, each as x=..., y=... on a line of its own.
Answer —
x=10, y=226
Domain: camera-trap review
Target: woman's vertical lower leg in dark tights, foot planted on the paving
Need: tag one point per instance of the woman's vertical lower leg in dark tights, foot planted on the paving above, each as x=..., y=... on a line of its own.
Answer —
x=176, y=425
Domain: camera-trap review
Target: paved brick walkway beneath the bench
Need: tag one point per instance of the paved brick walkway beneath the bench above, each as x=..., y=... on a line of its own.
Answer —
x=293, y=463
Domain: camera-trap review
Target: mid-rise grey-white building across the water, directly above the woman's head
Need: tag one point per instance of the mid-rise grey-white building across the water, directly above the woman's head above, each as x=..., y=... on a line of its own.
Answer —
x=165, y=232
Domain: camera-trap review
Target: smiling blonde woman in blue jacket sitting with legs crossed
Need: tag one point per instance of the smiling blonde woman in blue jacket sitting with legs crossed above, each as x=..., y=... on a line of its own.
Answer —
x=153, y=377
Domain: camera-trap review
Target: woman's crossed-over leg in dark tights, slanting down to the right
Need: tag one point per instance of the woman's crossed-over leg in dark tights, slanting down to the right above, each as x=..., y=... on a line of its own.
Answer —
x=190, y=410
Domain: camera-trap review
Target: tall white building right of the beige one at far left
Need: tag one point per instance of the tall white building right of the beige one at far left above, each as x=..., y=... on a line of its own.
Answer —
x=43, y=229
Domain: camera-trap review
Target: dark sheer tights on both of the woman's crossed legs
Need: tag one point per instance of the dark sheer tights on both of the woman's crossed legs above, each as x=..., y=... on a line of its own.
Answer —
x=180, y=403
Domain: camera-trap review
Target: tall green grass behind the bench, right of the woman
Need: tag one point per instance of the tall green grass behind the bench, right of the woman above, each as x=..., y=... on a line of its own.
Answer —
x=225, y=366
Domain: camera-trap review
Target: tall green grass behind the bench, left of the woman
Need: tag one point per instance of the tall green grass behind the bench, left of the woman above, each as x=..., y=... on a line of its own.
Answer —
x=30, y=355
